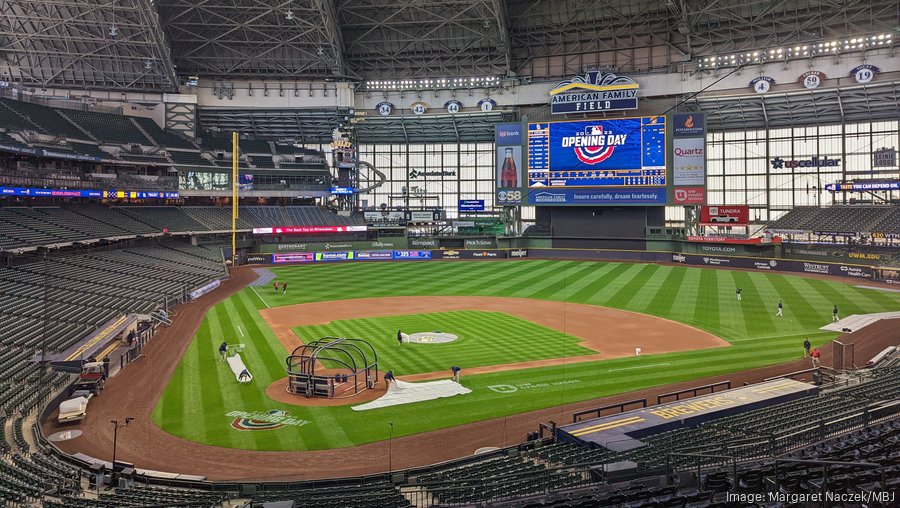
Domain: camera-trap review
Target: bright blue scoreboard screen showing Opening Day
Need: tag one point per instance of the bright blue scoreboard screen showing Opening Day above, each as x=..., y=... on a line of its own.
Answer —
x=622, y=153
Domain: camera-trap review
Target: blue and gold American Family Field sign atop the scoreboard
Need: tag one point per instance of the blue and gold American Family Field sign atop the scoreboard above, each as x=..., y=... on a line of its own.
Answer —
x=594, y=91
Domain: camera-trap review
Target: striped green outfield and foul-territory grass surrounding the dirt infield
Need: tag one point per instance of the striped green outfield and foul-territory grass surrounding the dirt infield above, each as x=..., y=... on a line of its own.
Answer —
x=203, y=390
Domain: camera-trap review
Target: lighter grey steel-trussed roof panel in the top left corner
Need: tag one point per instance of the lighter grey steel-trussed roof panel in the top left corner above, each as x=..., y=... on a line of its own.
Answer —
x=112, y=44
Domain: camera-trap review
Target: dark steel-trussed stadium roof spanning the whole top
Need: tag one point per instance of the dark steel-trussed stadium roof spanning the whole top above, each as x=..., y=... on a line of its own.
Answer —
x=147, y=44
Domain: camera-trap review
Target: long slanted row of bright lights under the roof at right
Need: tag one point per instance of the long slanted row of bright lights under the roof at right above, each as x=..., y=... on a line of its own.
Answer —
x=797, y=51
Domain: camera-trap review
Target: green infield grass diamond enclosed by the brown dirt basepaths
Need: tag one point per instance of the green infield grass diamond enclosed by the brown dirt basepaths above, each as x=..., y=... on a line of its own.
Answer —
x=484, y=338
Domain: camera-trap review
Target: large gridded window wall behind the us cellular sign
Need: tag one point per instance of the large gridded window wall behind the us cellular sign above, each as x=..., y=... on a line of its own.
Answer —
x=740, y=165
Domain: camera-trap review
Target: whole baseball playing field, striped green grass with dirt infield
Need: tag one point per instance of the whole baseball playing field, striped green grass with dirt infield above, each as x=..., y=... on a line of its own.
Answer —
x=545, y=365
